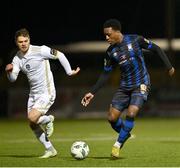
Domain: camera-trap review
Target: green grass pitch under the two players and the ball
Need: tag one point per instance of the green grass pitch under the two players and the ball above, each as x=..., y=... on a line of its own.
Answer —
x=156, y=144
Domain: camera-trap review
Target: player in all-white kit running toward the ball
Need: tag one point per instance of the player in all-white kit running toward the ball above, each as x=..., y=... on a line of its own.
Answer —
x=34, y=62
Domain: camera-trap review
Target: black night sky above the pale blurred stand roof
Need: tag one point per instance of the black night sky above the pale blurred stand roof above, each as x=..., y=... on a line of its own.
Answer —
x=55, y=23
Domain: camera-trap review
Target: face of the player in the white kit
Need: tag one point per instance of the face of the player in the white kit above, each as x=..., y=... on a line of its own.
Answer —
x=23, y=43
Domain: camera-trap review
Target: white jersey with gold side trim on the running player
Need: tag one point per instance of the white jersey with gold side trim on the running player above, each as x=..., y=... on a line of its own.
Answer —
x=35, y=64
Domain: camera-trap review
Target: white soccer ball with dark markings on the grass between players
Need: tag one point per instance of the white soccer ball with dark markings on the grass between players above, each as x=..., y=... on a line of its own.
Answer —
x=79, y=150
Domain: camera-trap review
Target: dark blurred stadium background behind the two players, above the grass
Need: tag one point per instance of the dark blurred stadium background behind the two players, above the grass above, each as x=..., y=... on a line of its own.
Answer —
x=75, y=28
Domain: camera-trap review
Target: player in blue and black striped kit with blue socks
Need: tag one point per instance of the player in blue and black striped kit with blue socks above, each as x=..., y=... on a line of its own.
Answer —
x=125, y=51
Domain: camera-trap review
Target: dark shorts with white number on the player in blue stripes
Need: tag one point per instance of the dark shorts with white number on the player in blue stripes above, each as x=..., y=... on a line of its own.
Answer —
x=123, y=98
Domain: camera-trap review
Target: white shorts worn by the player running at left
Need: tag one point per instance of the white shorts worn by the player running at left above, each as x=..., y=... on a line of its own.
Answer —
x=40, y=102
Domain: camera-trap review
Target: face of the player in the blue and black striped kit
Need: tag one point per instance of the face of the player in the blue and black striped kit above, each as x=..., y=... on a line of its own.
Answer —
x=112, y=36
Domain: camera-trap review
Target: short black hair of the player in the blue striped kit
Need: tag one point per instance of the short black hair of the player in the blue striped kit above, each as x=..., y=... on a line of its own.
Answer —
x=114, y=23
